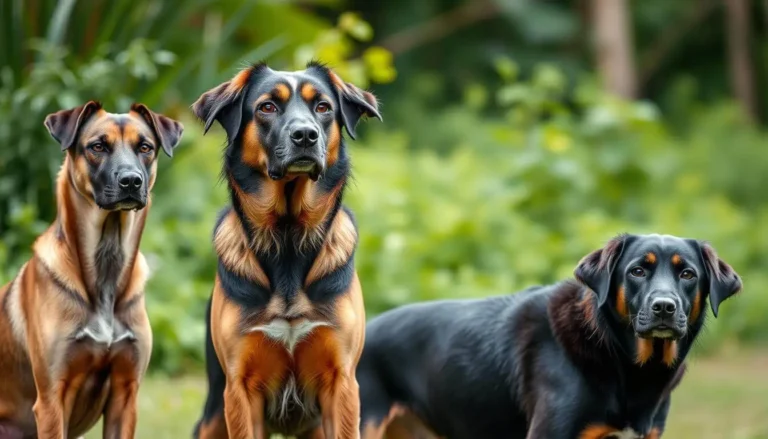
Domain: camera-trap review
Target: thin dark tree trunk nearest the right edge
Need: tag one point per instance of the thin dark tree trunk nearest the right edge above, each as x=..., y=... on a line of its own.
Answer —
x=739, y=60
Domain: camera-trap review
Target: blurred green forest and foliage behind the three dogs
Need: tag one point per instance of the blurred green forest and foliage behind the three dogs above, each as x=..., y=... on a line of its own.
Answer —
x=518, y=135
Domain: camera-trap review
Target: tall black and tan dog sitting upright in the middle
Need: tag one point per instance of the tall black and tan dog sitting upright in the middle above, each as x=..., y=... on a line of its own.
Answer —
x=286, y=319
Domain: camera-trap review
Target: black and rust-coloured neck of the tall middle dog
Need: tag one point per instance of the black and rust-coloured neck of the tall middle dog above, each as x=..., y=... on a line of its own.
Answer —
x=285, y=213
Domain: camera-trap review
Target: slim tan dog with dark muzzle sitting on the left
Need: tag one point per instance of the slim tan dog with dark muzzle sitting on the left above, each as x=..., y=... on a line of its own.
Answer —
x=74, y=335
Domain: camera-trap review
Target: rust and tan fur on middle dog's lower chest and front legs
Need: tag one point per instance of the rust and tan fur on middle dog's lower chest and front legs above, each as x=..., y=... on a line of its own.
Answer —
x=323, y=364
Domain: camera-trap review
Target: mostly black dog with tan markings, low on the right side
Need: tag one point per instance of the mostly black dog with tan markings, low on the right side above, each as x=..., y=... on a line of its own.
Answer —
x=591, y=360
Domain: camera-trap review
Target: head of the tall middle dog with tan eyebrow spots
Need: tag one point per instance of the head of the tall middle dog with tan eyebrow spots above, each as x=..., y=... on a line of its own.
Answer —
x=286, y=124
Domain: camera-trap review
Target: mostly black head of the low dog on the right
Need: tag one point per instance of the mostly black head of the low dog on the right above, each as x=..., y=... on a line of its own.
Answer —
x=659, y=283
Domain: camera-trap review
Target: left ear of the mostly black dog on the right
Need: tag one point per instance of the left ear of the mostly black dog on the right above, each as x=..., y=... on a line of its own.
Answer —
x=596, y=269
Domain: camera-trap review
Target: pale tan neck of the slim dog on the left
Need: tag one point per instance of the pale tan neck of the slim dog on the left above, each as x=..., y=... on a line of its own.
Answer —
x=91, y=251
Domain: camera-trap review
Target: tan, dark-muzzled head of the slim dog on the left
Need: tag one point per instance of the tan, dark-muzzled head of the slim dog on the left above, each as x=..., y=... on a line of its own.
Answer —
x=113, y=157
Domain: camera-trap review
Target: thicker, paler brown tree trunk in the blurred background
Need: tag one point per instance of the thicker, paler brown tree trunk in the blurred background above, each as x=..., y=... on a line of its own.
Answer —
x=614, y=49
